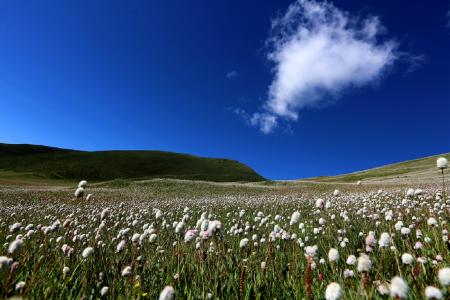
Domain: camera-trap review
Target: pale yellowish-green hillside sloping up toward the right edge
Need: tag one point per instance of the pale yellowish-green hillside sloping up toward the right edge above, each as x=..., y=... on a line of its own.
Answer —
x=418, y=170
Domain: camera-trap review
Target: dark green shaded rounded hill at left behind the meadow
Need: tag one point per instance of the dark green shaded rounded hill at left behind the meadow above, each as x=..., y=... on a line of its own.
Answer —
x=48, y=163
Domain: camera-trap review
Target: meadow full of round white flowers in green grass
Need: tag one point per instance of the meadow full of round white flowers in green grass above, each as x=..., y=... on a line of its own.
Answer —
x=199, y=241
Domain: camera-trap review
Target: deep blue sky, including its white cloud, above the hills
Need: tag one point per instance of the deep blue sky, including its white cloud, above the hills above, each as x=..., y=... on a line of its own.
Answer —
x=200, y=77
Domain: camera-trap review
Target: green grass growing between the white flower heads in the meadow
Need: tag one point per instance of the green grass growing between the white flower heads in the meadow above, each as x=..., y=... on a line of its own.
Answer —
x=218, y=265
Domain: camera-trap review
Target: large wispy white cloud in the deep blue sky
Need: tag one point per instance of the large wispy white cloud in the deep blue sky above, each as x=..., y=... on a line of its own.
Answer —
x=320, y=51
